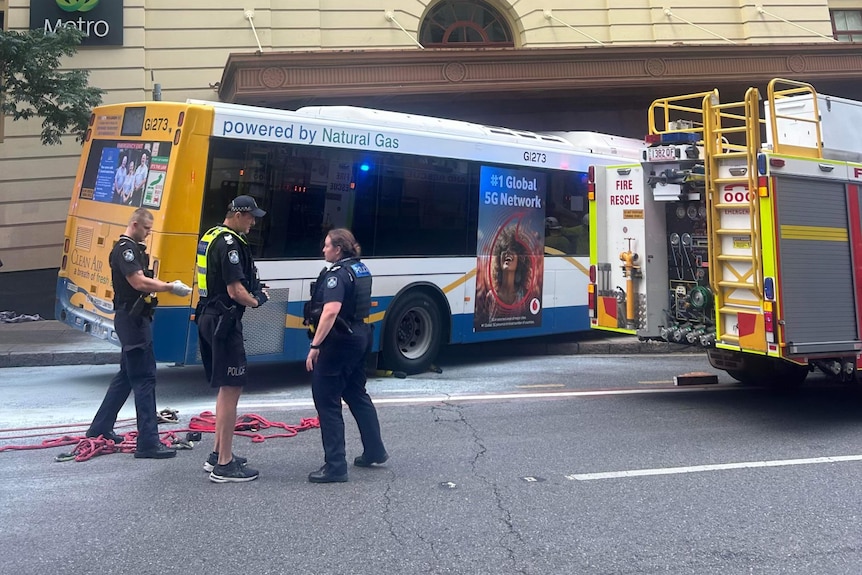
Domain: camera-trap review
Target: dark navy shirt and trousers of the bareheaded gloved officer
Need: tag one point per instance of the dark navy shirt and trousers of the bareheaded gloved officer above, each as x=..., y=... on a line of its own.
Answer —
x=133, y=324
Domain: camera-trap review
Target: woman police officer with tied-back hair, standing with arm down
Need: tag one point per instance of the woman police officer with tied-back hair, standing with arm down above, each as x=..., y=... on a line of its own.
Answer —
x=341, y=338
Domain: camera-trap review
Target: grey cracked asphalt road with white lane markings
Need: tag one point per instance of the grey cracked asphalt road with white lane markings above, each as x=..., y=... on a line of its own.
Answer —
x=583, y=464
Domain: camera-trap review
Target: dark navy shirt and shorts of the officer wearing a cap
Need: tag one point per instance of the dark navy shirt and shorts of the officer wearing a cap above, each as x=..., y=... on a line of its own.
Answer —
x=229, y=259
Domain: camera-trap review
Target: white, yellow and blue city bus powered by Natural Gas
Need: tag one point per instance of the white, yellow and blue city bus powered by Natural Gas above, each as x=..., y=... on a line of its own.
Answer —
x=450, y=217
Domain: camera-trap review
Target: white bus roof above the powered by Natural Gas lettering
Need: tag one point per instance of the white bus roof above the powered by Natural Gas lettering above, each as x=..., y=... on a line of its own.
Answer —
x=580, y=141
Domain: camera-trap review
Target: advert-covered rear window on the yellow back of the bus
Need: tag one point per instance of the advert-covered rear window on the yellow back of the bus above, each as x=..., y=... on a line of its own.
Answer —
x=127, y=173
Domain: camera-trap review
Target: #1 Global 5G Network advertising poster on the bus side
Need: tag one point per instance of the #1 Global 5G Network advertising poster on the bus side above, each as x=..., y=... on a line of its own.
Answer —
x=510, y=260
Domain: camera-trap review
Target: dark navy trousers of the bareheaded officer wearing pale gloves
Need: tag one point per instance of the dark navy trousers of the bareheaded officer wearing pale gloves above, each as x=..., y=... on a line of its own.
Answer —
x=137, y=374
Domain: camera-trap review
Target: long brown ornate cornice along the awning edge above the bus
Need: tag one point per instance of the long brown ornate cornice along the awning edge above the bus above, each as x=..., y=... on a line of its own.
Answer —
x=273, y=77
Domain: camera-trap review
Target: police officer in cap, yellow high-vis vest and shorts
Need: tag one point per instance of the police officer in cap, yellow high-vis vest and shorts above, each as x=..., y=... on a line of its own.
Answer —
x=227, y=284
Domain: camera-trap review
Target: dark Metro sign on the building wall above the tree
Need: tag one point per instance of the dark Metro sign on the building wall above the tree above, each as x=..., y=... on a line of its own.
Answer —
x=101, y=21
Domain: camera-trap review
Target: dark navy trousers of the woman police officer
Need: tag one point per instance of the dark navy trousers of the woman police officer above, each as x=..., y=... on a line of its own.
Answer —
x=340, y=374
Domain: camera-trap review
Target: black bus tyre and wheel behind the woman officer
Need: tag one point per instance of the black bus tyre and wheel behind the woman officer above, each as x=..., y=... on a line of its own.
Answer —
x=412, y=334
